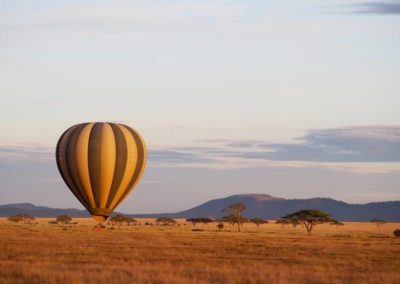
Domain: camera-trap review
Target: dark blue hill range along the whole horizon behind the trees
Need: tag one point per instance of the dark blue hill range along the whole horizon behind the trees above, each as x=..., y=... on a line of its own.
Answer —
x=258, y=205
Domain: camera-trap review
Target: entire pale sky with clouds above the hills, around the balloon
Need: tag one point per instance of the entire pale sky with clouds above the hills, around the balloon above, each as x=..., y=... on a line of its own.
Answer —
x=296, y=99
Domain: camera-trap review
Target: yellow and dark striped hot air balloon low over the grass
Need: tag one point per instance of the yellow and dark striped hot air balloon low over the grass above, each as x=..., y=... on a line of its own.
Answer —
x=101, y=163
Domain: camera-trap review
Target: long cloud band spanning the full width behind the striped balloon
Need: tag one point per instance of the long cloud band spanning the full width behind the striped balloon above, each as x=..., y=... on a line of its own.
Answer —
x=362, y=150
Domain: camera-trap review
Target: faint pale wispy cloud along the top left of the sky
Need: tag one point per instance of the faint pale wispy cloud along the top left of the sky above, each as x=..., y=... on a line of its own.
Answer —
x=124, y=15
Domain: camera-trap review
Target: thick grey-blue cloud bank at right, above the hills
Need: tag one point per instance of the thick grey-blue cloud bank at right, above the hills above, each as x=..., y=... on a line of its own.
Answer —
x=351, y=144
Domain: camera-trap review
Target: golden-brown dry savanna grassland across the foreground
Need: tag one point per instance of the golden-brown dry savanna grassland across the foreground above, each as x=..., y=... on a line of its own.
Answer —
x=75, y=253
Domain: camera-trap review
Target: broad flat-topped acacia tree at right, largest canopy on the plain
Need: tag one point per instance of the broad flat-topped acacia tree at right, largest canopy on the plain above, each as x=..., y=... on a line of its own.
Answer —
x=309, y=218
